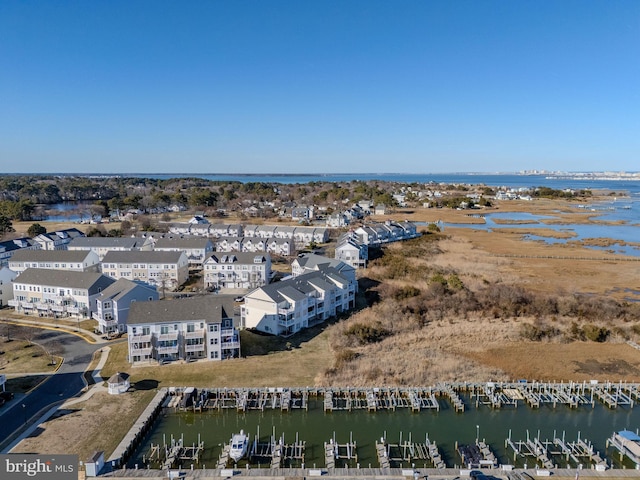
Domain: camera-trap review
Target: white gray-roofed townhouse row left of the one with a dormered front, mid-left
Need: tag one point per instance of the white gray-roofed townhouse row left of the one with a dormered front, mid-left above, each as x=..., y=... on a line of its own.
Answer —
x=167, y=270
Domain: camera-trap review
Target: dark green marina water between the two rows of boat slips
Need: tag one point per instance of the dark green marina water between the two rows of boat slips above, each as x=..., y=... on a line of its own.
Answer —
x=445, y=427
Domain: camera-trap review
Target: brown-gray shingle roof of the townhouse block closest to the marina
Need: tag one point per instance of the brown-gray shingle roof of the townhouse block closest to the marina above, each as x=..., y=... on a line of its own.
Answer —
x=209, y=308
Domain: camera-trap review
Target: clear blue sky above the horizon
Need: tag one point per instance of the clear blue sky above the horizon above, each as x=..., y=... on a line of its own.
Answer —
x=319, y=86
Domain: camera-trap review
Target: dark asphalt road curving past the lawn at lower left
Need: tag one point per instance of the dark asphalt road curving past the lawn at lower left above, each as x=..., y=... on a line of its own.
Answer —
x=65, y=384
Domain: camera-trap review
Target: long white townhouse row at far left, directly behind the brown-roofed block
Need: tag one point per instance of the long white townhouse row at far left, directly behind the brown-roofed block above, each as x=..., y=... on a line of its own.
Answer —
x=74, y=260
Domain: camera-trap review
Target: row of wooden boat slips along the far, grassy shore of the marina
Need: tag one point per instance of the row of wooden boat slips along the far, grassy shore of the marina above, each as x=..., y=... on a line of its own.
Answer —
x=493, y=394
